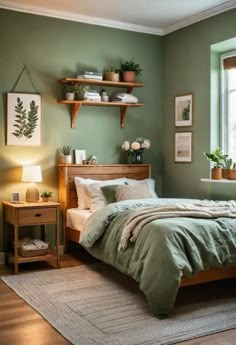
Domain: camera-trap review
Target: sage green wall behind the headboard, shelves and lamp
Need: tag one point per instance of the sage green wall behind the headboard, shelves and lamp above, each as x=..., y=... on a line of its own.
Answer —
x=53, y=49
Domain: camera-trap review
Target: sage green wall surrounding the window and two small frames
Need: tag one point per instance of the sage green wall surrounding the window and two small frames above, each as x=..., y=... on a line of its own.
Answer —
x=190, y=66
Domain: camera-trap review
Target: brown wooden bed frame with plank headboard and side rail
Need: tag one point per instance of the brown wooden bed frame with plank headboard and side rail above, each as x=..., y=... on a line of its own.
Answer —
x=68, y=199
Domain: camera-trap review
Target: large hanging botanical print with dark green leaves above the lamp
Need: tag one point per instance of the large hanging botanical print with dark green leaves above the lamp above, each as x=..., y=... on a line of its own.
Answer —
x=23, y=119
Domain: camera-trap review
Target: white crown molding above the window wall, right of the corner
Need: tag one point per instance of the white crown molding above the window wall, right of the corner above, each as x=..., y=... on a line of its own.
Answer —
x=229, y=5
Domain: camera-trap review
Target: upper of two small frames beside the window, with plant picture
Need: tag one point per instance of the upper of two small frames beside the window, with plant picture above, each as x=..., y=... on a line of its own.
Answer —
x=184, y=110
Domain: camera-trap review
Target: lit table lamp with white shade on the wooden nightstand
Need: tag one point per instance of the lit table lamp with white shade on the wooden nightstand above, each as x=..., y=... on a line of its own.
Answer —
x=32, y=174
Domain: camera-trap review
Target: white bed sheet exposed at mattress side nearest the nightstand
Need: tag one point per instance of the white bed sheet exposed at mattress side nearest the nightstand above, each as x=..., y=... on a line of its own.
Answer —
x=76, y=218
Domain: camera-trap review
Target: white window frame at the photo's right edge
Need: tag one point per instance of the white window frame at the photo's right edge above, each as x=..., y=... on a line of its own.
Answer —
x=224, y=104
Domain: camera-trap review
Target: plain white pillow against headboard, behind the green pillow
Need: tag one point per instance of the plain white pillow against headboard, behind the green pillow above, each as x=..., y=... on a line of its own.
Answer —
x=83, y=202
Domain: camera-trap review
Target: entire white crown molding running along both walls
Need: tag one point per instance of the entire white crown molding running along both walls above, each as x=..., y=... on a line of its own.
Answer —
x=117, y=24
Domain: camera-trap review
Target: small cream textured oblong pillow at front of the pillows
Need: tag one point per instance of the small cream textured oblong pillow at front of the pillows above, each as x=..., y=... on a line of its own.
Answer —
x=131, y=191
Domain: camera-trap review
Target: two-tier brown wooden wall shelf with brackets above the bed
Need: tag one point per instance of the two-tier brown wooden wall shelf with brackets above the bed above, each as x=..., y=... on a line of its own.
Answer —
x=76, y=105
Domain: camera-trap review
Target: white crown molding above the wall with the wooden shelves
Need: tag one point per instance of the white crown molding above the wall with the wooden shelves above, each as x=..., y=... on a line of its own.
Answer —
x=78, y=18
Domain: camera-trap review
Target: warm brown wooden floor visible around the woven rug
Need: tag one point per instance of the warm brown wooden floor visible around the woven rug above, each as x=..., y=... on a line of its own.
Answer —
x=21, y=325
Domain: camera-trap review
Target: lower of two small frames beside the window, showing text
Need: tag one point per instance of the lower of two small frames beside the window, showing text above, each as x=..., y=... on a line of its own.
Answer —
x=183, y=147
